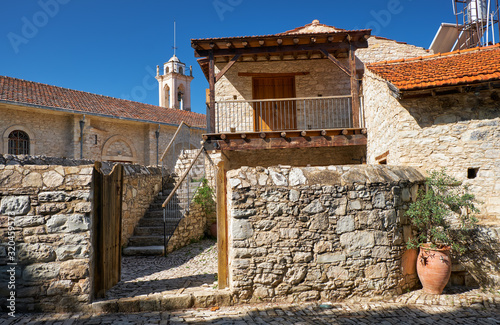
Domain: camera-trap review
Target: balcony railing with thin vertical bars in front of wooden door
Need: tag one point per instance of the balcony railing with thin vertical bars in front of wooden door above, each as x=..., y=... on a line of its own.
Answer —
x=310, y=113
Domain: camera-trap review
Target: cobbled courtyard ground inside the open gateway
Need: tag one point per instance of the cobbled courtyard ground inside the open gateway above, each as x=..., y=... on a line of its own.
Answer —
x=189, y=267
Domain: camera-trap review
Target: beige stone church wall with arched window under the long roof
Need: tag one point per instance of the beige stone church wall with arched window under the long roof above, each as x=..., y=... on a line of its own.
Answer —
x=57, y=134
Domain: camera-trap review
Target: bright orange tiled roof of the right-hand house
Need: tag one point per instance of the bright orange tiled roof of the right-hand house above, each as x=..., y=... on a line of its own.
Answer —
x=448, y=69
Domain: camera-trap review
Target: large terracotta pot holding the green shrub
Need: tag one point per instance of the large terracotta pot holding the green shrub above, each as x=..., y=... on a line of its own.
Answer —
x=434, y=268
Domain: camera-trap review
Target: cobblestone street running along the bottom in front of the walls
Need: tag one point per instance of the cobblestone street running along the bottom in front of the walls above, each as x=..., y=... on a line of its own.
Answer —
x=362, y=313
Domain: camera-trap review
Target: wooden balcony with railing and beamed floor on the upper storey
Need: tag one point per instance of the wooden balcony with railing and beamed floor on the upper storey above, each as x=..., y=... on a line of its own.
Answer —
x=287, y=123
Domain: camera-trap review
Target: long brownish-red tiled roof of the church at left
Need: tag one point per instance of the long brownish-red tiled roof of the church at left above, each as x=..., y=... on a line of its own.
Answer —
x=34, y=93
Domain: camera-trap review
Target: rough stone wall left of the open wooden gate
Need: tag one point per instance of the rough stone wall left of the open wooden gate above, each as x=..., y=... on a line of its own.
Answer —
x=45, y=251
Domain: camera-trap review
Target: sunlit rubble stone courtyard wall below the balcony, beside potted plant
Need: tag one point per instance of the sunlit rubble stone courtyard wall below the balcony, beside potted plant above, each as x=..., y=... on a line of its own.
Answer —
x=320, y=232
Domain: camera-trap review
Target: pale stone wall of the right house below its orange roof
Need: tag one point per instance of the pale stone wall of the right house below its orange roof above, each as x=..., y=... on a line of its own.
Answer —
x=459, y=131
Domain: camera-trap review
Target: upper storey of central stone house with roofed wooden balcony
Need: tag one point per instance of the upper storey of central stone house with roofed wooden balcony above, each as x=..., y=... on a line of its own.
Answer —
x=291, y=95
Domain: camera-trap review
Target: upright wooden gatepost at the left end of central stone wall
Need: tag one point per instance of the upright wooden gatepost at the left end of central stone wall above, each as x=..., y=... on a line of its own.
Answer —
x=222, y=238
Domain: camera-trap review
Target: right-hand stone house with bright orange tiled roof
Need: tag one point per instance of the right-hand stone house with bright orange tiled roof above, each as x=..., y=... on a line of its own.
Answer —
x=440, y=111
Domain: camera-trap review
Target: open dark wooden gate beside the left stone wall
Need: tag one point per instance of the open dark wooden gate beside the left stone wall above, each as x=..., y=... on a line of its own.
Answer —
x=106, y=229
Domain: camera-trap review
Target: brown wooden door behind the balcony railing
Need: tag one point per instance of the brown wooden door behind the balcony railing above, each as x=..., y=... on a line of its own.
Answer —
x=274, y=115
